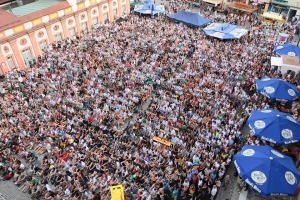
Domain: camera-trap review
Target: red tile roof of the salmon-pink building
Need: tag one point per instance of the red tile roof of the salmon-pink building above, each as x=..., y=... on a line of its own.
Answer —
x=8, y=20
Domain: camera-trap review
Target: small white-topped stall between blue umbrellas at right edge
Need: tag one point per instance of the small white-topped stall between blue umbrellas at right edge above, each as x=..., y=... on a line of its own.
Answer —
x=286, y=63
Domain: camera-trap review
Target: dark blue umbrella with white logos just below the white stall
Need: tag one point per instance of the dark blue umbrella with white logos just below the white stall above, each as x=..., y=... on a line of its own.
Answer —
x=277, y=89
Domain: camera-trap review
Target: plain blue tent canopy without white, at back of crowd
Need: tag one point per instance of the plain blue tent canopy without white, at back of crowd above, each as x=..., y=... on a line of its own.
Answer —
x=190, y=18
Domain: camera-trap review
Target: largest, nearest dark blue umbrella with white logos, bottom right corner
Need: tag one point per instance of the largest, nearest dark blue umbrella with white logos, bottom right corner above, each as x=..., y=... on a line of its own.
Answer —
x=267, y=171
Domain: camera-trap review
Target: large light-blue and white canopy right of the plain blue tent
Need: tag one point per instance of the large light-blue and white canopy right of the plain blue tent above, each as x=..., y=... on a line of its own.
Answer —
x=225, y=31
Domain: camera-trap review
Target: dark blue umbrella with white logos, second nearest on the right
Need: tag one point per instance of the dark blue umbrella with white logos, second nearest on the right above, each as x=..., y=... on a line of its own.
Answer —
x=274, y=126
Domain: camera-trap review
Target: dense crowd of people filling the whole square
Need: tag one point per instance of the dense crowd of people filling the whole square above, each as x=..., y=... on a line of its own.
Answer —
x=87, y=116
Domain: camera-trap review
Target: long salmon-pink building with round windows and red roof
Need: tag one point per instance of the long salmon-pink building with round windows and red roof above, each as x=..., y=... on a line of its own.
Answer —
x=22, y=39
